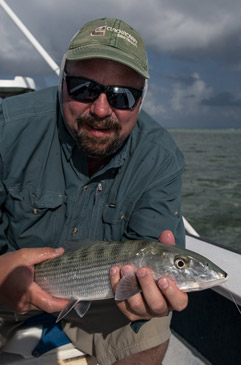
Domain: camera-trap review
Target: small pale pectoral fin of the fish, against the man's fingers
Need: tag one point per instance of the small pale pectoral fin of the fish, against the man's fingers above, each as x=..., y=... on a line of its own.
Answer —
x=127, y=287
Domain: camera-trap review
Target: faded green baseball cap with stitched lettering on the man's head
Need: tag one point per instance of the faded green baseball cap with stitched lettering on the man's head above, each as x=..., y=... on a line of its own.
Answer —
x=110, y=39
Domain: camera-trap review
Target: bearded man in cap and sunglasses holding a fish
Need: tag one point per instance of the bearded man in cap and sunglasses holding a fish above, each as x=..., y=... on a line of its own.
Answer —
x=91, y=167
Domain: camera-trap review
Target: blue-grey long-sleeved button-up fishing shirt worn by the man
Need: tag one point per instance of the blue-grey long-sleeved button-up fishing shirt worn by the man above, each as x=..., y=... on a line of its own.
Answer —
x=47, y=197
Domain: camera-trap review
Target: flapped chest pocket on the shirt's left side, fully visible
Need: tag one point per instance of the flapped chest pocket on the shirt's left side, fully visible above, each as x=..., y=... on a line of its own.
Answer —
x=34, y=216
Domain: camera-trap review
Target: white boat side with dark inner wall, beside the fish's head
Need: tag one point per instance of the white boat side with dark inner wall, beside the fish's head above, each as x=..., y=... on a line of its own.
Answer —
x=208, y=330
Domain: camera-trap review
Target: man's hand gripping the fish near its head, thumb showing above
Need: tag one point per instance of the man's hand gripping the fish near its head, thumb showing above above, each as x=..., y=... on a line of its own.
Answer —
x=156, y=299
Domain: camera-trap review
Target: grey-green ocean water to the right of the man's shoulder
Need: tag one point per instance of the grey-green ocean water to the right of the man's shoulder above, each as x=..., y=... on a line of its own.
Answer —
x=211, y=199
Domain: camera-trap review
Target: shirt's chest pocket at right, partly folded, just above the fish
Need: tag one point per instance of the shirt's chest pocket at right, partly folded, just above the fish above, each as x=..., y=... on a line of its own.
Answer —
x=115, y=218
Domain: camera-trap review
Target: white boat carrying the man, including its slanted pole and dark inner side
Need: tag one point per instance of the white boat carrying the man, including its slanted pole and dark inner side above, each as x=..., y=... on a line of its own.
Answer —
x=206, y=332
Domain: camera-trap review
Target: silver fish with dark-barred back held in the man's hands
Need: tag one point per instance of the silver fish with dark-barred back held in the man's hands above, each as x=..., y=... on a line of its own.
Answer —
x=82, y=273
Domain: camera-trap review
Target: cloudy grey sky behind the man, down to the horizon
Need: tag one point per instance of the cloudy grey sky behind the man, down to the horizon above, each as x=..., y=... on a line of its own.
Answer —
x=194, y=50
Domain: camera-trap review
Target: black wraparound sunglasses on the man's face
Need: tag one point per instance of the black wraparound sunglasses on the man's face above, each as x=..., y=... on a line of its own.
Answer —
x=87, y=91
